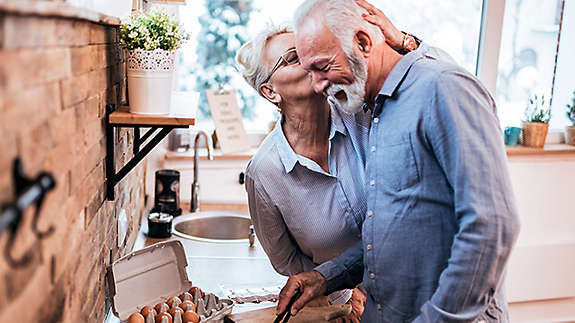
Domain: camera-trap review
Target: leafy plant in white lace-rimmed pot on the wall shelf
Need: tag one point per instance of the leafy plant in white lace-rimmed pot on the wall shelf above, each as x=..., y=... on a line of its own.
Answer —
x=150, y=40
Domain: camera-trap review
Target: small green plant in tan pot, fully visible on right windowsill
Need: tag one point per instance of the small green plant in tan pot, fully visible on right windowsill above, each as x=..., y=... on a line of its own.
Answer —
x=536, y=121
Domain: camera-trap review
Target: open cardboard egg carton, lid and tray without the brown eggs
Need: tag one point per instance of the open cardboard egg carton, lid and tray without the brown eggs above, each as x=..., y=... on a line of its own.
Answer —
x=154, y=274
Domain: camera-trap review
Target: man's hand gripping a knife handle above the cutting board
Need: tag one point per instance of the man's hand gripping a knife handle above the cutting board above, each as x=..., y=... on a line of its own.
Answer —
x=311, y=284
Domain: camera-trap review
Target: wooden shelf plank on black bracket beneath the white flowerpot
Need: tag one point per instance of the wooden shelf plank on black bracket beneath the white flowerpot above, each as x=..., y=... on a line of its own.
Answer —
x=124, y=117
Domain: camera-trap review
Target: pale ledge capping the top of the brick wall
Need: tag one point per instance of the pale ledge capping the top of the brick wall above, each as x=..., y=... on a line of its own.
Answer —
x=56, y=9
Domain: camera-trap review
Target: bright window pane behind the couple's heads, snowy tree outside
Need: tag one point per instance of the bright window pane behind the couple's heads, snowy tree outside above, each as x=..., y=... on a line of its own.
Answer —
x=218, y=23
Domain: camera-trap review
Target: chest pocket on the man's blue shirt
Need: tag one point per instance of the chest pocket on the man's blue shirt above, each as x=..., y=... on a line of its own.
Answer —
x=398, y=167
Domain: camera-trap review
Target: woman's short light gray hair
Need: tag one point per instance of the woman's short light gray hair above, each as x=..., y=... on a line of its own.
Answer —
x=249, y=57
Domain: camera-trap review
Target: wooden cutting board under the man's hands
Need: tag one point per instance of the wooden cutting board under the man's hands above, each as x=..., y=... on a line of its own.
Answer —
x=321, y=314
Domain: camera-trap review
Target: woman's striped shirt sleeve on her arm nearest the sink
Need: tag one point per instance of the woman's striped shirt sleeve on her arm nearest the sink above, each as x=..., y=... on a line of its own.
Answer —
x=272, y=232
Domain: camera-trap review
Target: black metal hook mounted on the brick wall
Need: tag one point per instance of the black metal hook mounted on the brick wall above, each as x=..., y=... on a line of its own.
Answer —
x=27, y=192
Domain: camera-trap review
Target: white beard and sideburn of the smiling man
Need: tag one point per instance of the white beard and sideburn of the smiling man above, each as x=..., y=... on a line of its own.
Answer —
x=354, y=92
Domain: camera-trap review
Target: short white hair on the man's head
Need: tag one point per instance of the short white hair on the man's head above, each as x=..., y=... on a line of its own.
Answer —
x=343, y=18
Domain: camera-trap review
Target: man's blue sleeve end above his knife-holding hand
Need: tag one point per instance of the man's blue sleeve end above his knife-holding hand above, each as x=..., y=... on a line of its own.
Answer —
x=345, y=271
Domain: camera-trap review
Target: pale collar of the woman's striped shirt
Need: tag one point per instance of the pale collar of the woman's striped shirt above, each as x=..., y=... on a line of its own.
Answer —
x=287, y=155
